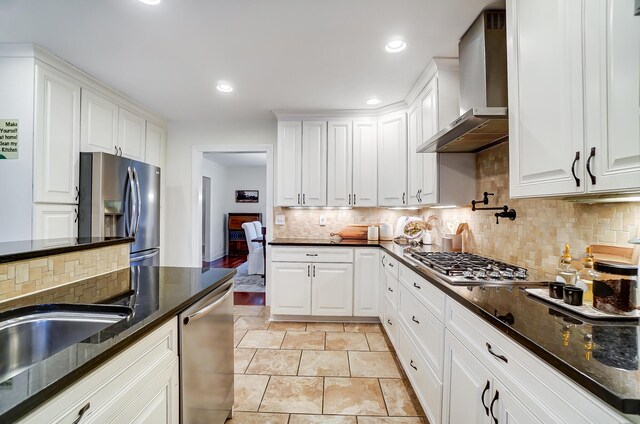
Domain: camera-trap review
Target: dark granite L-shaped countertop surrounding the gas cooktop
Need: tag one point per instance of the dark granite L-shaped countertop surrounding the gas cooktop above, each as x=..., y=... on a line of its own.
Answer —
x=601, y=356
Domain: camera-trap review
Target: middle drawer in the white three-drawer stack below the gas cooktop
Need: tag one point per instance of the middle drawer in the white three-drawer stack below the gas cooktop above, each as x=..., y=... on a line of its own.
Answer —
x=426, y=330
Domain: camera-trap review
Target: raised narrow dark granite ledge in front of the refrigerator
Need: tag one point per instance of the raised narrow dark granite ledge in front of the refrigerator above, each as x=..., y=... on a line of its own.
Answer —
x=11, y=251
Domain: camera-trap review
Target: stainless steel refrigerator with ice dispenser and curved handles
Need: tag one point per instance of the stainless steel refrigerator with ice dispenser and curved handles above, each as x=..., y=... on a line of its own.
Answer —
x=121, y=197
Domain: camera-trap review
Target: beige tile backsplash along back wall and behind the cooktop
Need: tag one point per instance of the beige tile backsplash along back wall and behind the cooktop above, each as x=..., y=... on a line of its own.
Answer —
x=534, y=240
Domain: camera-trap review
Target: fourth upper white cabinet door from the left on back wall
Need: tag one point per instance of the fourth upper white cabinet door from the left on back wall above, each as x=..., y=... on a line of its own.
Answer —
x=365, y=164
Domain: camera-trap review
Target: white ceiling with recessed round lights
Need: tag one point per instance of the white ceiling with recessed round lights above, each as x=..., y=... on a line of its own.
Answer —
x=278, y=54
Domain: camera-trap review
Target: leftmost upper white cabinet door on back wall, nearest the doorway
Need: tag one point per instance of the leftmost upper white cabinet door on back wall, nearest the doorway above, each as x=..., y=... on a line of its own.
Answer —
x=289, y=166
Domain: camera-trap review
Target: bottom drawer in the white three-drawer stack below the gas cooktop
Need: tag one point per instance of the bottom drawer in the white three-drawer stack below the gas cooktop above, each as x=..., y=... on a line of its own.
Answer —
x=425, y=382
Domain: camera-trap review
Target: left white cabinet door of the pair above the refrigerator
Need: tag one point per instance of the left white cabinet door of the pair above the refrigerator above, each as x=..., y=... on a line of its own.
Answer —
x=99, y=124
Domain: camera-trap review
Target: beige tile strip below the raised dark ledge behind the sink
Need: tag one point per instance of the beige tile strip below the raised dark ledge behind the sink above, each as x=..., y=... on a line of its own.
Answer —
x=34, y=275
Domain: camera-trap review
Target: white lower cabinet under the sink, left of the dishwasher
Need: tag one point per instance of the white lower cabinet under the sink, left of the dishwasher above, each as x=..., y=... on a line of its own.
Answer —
x=139, y=385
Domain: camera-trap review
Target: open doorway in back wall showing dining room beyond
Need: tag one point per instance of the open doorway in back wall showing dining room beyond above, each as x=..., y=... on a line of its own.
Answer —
x=235, y=191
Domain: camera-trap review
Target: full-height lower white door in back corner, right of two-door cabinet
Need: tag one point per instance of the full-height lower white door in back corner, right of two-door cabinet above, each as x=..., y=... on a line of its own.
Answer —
x=366, y=289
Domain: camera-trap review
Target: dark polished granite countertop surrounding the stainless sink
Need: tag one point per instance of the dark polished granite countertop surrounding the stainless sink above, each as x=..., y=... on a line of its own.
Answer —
x=156, y=294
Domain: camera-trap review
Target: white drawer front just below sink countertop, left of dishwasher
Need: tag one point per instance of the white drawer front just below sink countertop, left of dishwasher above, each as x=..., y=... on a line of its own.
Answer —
x=109, y=389
